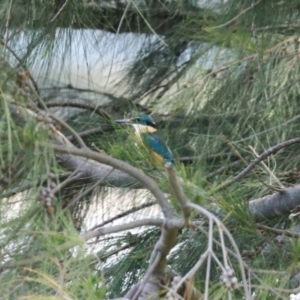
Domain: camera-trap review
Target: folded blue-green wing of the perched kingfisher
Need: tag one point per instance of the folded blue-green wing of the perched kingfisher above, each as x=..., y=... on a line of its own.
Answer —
x=156, y=143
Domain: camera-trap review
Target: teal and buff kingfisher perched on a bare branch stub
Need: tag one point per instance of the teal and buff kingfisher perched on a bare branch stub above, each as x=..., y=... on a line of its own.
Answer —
x=146, y=134
